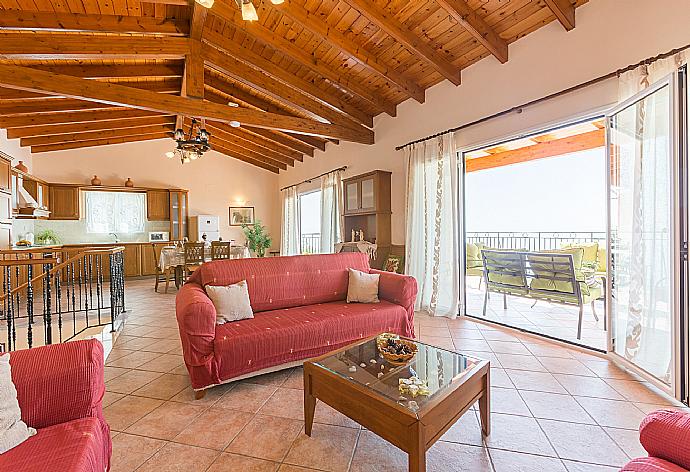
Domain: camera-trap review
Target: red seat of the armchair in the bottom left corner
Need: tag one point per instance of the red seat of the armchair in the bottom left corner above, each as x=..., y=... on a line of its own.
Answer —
x=80, y=445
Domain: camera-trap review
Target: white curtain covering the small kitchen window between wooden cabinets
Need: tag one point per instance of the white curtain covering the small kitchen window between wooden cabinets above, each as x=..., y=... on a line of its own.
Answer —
x=115, y=212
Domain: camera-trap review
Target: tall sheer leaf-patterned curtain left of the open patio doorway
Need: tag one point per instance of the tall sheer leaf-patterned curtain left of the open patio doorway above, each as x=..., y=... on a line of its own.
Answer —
x=433, y=252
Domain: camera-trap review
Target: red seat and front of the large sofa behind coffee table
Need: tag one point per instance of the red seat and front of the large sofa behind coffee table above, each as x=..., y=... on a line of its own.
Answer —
x=275, y=337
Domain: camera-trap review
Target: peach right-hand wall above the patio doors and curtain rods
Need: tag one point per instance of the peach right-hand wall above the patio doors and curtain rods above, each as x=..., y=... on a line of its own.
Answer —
x=610, y=34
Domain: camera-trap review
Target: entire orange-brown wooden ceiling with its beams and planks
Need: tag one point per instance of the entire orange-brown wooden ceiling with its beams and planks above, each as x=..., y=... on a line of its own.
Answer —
x=83, y=73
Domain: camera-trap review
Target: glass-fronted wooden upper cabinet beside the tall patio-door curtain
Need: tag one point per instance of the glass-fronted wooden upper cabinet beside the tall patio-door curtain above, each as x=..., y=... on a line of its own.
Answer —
x=367, y=193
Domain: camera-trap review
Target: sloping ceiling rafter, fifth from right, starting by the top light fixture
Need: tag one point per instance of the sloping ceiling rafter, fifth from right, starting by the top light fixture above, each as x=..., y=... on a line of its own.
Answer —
x=295, y=53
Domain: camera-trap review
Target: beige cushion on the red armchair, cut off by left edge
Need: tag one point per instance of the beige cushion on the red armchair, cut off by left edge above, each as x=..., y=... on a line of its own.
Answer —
x=13, y=431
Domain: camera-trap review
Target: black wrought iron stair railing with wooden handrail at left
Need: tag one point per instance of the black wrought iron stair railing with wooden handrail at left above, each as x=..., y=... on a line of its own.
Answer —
x=45, y=301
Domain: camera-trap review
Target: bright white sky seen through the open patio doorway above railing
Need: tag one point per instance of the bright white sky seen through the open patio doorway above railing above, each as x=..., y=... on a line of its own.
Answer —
x=559, y=194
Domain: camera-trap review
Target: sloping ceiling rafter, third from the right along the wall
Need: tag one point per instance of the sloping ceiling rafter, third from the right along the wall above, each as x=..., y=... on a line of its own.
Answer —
x=405, y=36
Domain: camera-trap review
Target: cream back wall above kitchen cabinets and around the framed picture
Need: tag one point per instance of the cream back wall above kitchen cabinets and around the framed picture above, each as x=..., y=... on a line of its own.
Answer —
x=215, y=182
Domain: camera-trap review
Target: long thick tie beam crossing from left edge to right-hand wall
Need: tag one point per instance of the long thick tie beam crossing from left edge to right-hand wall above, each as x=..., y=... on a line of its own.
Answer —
x=24, y=78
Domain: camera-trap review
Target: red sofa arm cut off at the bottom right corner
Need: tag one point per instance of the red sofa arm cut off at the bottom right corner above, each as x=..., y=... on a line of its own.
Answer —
x=665, y=435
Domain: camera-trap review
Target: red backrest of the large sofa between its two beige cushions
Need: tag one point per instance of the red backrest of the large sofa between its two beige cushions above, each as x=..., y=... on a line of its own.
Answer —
x=285, y=282
